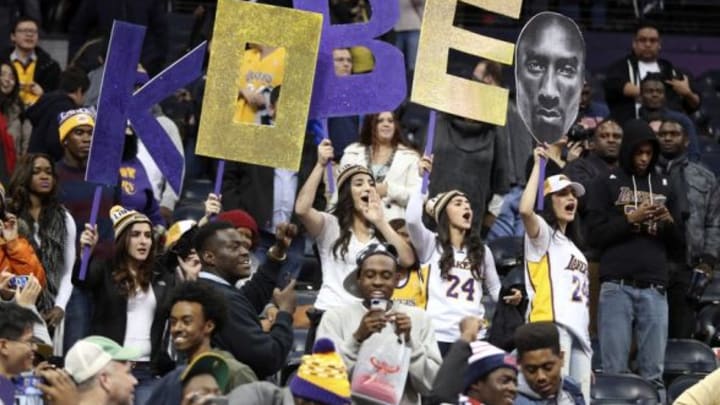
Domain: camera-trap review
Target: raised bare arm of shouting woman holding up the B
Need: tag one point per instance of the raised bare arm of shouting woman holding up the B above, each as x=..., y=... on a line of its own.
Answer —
x=309, y=216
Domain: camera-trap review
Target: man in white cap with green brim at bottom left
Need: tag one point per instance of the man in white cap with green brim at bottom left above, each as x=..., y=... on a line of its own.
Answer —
x=102, y=370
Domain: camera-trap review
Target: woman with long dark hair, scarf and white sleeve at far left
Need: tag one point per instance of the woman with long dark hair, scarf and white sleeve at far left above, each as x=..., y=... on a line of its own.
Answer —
x=34, y=198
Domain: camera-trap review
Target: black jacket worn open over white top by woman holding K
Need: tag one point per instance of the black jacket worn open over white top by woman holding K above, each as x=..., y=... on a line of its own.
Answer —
x=109, y=317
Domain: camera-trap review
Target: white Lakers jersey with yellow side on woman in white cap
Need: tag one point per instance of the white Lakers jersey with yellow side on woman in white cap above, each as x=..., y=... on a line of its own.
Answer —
x=557, y=283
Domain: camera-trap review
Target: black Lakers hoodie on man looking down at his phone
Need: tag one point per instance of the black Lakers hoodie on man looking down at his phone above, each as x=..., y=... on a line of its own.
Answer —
x=631, y=251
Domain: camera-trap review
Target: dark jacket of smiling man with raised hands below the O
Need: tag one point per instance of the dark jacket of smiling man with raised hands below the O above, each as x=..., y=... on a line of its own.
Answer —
x=242, y=335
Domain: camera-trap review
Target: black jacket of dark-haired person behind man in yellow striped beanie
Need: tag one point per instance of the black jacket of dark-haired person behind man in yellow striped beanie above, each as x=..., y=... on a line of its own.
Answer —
x=43, y=115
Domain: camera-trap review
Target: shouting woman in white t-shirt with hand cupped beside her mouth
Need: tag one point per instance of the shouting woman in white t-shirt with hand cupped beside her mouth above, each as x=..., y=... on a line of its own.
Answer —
x=356, y=221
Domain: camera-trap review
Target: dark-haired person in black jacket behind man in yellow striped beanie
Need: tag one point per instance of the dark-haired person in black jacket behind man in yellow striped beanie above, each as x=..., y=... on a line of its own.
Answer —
x=45, y=114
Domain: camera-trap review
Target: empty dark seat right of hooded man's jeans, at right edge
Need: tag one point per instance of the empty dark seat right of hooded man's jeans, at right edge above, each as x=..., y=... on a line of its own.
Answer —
x=685, y=356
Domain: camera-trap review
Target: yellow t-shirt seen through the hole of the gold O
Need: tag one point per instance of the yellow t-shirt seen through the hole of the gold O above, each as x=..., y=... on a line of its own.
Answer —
x=258, y=73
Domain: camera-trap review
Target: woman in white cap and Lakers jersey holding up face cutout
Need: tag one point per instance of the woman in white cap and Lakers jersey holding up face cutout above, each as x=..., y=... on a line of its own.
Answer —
x=556, y=277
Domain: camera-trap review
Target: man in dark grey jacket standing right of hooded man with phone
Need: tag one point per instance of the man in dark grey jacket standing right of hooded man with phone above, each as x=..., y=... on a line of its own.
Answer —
x=700, y=190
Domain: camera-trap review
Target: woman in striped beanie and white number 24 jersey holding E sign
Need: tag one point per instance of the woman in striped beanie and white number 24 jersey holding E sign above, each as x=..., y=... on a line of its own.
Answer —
x=459, y=264
